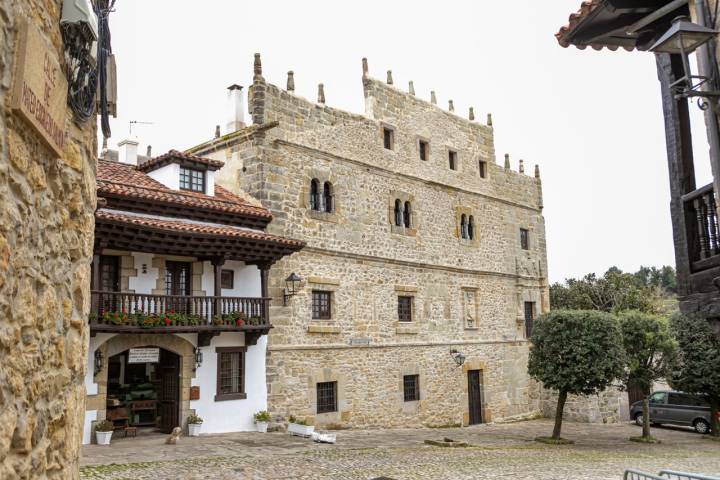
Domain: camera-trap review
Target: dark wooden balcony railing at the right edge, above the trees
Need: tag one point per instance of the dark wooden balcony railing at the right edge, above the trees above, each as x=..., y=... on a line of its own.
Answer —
x=702, y=223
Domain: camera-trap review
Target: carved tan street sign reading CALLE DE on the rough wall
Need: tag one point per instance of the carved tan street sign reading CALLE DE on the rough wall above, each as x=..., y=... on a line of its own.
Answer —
x=39, y=91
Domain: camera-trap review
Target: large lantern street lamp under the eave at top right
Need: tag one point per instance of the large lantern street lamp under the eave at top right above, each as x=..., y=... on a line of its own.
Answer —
x=683, y=38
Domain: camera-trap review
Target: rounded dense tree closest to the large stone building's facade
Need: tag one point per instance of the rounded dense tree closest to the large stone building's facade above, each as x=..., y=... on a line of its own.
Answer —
x=575, y=352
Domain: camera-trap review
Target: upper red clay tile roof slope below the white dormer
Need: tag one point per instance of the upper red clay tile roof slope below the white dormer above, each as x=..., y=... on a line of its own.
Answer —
x=124, y=180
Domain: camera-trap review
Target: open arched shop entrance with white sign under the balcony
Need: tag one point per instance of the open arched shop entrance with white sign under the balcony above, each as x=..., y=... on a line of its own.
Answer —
x=143, y=389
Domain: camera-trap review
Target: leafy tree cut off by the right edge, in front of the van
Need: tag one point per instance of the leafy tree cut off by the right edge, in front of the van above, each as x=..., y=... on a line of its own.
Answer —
x=697, y=369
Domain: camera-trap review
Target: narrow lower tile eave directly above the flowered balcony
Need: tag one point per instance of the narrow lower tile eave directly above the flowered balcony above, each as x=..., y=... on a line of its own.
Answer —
x=182, y=226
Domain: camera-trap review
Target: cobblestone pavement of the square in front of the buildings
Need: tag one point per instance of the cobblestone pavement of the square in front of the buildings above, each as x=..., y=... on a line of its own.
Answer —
x=501, y=451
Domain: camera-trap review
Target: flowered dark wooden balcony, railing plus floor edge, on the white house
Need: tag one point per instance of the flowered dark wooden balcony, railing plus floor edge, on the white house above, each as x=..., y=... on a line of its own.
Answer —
x=124, y=312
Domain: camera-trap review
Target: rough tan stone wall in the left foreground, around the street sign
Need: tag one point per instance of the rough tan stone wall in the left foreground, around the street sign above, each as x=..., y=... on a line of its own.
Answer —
x=46, y=241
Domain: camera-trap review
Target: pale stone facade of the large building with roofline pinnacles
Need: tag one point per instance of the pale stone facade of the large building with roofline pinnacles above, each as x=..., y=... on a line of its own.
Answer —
x=466, y=294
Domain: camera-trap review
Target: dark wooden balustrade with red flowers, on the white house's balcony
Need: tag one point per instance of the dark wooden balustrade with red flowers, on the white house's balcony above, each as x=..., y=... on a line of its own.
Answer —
x=190, y=310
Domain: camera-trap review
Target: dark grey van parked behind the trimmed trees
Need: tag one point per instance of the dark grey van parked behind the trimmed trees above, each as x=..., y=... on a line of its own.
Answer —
x=675, y=408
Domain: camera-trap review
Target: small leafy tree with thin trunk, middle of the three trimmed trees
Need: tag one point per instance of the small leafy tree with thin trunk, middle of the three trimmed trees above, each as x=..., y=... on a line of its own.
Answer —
x=650, y=350
